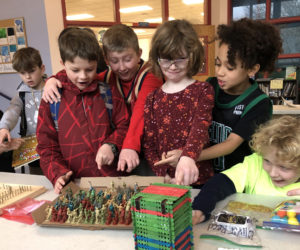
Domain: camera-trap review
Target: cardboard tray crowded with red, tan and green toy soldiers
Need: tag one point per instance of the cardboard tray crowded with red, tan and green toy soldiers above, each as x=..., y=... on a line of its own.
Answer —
x=105, y=203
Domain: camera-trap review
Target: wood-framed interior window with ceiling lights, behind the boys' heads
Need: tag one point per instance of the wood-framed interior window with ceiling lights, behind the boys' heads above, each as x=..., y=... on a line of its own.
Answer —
x=144, y=16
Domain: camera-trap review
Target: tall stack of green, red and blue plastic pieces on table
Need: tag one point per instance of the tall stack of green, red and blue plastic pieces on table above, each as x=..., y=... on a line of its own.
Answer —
x=162, y=217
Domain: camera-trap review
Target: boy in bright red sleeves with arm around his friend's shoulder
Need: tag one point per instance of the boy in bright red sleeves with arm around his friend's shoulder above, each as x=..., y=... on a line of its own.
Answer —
x=130, y=75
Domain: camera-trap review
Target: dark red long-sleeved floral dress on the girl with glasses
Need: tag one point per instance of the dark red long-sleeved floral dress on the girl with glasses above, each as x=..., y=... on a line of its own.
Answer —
x=179, y=121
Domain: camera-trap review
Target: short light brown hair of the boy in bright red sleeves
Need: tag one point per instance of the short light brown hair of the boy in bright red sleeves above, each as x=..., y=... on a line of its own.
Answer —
x=118, y=38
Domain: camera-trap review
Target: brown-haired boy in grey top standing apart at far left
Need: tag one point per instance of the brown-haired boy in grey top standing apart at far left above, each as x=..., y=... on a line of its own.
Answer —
x=28, y=63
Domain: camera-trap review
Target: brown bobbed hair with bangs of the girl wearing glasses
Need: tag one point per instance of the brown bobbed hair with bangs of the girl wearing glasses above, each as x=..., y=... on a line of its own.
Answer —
x=169, y=42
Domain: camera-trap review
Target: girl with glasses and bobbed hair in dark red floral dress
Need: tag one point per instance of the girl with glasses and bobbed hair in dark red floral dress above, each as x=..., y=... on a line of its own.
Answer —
x=178, y=114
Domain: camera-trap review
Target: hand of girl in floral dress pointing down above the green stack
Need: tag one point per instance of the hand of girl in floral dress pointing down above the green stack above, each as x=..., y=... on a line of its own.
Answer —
x=186, y=171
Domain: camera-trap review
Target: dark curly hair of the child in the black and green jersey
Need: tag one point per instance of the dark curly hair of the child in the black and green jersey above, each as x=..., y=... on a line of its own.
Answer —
x=251, y=41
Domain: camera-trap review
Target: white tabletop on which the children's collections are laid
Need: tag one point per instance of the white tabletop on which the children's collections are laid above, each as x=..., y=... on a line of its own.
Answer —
x=20, y=236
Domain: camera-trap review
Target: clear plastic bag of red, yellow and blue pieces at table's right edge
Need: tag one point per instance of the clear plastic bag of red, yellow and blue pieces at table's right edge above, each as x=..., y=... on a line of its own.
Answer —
x=286, y=216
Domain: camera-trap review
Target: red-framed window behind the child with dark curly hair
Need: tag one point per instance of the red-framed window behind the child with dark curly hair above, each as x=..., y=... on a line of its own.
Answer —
x=283, y=13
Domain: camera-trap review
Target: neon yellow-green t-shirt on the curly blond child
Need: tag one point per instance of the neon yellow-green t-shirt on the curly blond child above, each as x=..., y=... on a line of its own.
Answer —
x=251, y=178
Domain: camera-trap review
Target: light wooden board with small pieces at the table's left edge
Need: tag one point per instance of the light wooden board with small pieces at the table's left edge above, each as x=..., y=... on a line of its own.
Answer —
x=11, y=193
